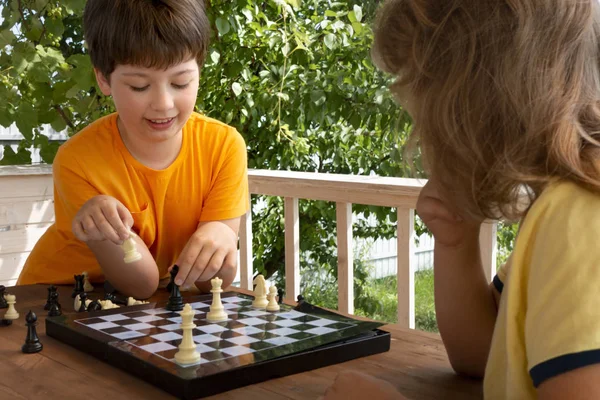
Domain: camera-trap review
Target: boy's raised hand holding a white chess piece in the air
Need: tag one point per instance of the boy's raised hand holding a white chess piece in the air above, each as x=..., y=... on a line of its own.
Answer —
x=103, y=218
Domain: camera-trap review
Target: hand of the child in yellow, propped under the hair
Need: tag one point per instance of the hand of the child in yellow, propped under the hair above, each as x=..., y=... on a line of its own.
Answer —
x=448, y=227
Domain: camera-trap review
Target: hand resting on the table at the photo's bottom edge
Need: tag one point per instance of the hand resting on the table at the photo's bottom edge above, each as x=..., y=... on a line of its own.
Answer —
x=351, y=385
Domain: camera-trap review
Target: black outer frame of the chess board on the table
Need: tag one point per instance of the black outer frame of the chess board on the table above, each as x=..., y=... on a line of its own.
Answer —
x=364, y=344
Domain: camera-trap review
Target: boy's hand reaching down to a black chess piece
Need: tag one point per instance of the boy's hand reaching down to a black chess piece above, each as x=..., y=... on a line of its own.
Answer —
x=211, y=250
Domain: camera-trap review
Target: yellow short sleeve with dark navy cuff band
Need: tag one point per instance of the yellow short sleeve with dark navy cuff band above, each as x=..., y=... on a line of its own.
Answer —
x=562, y=322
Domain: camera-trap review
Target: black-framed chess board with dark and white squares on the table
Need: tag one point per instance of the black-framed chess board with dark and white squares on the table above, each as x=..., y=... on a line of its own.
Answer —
x=251, y=346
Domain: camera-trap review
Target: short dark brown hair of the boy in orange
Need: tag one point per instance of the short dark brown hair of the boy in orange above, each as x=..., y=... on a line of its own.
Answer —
x=147, y=33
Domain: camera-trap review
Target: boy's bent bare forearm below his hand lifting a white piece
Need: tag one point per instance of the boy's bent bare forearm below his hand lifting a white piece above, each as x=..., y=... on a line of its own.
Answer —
x=138, y=279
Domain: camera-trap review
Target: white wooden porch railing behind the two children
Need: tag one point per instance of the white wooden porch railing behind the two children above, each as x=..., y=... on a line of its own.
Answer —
x=26, y=211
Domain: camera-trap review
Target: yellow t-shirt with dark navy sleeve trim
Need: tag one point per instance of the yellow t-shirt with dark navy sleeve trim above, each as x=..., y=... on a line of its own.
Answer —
x=549, y=317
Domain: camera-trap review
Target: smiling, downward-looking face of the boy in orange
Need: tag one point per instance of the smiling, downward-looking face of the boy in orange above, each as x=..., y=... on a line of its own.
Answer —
x=153, y=105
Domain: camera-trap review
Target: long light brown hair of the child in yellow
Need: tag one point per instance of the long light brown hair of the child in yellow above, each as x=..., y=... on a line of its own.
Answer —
x=505, y=94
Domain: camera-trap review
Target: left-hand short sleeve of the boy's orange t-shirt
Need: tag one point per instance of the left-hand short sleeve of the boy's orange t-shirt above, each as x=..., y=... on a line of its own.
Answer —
x=72, y=188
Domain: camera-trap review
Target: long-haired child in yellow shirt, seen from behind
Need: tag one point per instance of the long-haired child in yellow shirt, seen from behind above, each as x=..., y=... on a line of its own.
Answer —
x=505, y=97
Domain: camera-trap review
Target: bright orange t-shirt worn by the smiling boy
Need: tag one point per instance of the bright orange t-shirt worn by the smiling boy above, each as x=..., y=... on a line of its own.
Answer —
x=207, y=182
